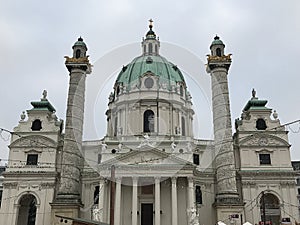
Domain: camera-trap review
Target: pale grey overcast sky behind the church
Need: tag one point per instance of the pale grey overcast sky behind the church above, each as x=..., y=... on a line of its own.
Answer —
x=263, y=37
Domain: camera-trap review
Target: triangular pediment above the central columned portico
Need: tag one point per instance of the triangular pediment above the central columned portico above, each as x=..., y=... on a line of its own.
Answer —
x=146, y=157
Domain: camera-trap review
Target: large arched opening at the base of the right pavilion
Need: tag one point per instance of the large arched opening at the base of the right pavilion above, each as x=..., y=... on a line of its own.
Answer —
x=271, y=205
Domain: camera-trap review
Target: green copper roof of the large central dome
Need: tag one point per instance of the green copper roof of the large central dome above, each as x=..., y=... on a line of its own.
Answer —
x=166, y=71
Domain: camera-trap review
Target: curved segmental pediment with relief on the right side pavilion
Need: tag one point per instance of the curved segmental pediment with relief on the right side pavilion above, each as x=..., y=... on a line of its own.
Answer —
x=264, y=140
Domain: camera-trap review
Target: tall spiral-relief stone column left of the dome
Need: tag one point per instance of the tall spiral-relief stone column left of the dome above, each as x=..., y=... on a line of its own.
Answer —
x=68, y=197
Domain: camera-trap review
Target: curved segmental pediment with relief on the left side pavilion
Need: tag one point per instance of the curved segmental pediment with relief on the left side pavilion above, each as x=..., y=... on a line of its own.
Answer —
x=36, y=141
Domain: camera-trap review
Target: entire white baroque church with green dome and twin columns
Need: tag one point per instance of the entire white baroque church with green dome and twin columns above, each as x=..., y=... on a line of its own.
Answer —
x=149, y=169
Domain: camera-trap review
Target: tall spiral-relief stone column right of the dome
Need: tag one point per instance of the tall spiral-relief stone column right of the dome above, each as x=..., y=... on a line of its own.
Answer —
x=218, y=65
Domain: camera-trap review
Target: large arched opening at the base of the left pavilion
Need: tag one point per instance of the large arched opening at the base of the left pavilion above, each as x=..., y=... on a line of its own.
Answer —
x=27, y=210
